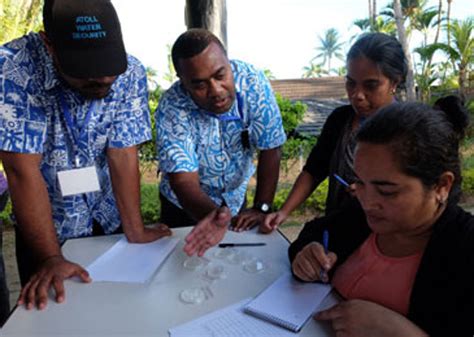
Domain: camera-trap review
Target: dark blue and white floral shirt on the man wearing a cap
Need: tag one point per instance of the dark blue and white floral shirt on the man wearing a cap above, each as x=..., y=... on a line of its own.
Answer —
x=32, y=120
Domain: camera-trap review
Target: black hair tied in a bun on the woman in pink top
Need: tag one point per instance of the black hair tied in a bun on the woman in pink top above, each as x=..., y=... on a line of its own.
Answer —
x=424, y=140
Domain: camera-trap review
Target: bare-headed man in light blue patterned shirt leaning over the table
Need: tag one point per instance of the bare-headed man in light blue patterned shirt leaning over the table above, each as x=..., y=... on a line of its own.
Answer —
x=209, y=125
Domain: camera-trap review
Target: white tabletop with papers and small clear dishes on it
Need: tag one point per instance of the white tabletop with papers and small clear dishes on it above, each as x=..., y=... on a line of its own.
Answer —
x=151, y=309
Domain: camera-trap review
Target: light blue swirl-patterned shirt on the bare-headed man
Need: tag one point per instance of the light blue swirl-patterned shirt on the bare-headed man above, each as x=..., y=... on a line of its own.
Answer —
x=190, y=139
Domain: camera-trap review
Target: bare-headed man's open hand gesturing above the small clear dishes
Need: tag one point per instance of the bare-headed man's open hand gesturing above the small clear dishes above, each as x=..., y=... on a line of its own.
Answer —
x=208, y=232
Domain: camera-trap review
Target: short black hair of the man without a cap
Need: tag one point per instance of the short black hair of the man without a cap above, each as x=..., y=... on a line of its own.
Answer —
x=192, y=43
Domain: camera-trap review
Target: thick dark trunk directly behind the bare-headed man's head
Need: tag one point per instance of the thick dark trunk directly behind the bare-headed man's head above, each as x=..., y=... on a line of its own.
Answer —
x=208, y=14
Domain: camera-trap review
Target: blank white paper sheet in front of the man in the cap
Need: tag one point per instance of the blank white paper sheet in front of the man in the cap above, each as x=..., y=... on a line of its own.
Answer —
x=131, y=262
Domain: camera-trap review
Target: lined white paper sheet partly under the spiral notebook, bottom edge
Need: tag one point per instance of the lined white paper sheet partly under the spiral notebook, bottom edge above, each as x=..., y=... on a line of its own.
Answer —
x=229, y=322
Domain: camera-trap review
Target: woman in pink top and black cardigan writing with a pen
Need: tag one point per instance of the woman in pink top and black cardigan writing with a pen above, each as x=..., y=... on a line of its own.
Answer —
x=403, y=258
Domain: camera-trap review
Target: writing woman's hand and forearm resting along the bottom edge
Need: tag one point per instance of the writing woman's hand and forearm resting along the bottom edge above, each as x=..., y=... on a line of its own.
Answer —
x=358, y=318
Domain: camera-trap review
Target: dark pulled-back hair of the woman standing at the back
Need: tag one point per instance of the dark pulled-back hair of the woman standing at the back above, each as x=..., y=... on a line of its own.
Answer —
x=385, y=51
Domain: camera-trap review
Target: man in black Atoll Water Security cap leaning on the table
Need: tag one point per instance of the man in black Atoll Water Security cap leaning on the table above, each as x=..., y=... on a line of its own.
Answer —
x=73, y=108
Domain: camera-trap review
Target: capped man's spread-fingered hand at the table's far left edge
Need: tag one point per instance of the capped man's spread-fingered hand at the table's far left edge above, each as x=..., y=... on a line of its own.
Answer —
x=52, y=273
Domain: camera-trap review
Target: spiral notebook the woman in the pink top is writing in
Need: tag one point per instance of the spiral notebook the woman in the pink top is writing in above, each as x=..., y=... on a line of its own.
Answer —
x=287, y=302
